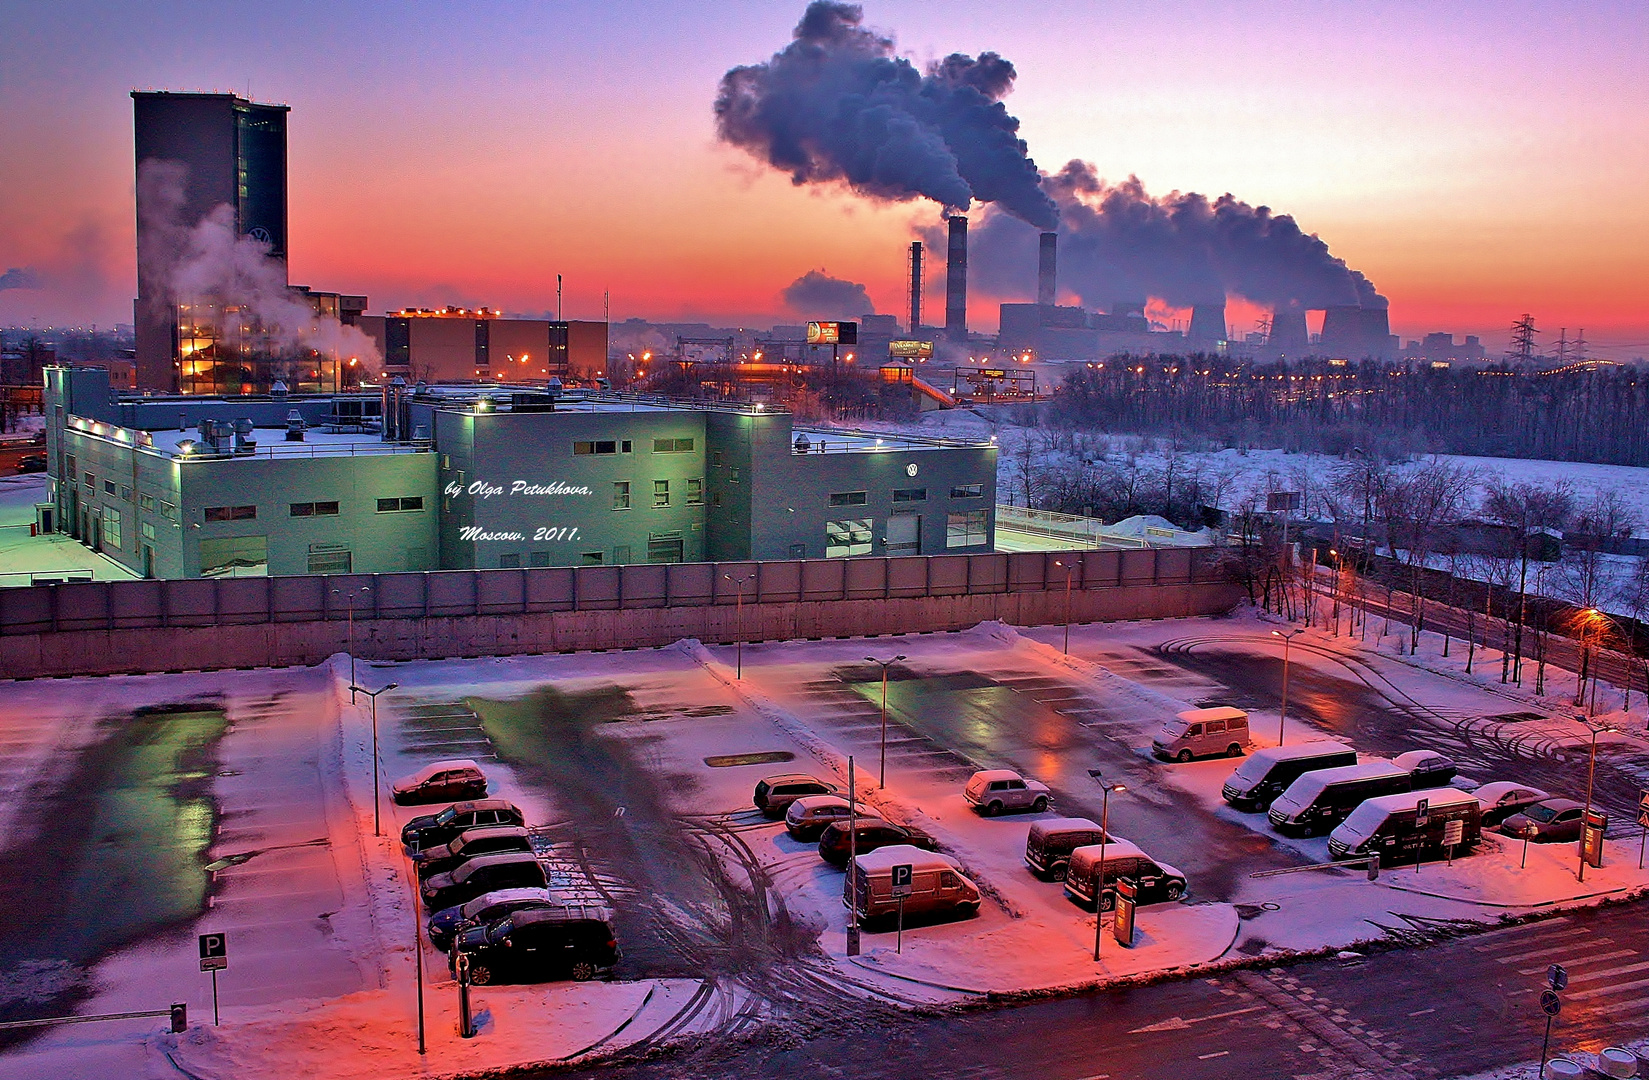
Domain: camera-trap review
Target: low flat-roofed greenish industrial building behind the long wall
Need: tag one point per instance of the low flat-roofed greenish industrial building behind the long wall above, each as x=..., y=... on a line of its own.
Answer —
x=487, y=476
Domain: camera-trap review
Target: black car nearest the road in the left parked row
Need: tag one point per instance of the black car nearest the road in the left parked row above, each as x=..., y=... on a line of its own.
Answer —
x=538, y=946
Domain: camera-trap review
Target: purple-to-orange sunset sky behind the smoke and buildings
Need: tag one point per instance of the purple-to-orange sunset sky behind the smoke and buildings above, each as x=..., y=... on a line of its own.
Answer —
x=1477, y=161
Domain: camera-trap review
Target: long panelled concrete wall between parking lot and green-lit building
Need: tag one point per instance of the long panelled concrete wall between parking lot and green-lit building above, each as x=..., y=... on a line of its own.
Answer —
x=159, y=626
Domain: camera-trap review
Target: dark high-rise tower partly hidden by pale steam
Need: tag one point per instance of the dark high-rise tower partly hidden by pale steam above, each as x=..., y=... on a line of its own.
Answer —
x=225, y=153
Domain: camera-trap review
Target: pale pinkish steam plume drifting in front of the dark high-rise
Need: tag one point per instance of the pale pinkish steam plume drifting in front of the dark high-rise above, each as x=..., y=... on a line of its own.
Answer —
x=210, y=263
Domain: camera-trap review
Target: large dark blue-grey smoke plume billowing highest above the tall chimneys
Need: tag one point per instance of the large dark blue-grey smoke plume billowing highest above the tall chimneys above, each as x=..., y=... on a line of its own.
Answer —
x=839, y=105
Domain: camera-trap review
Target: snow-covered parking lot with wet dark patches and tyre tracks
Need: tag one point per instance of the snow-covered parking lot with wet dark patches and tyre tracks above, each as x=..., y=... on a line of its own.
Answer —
x=636, y=772
